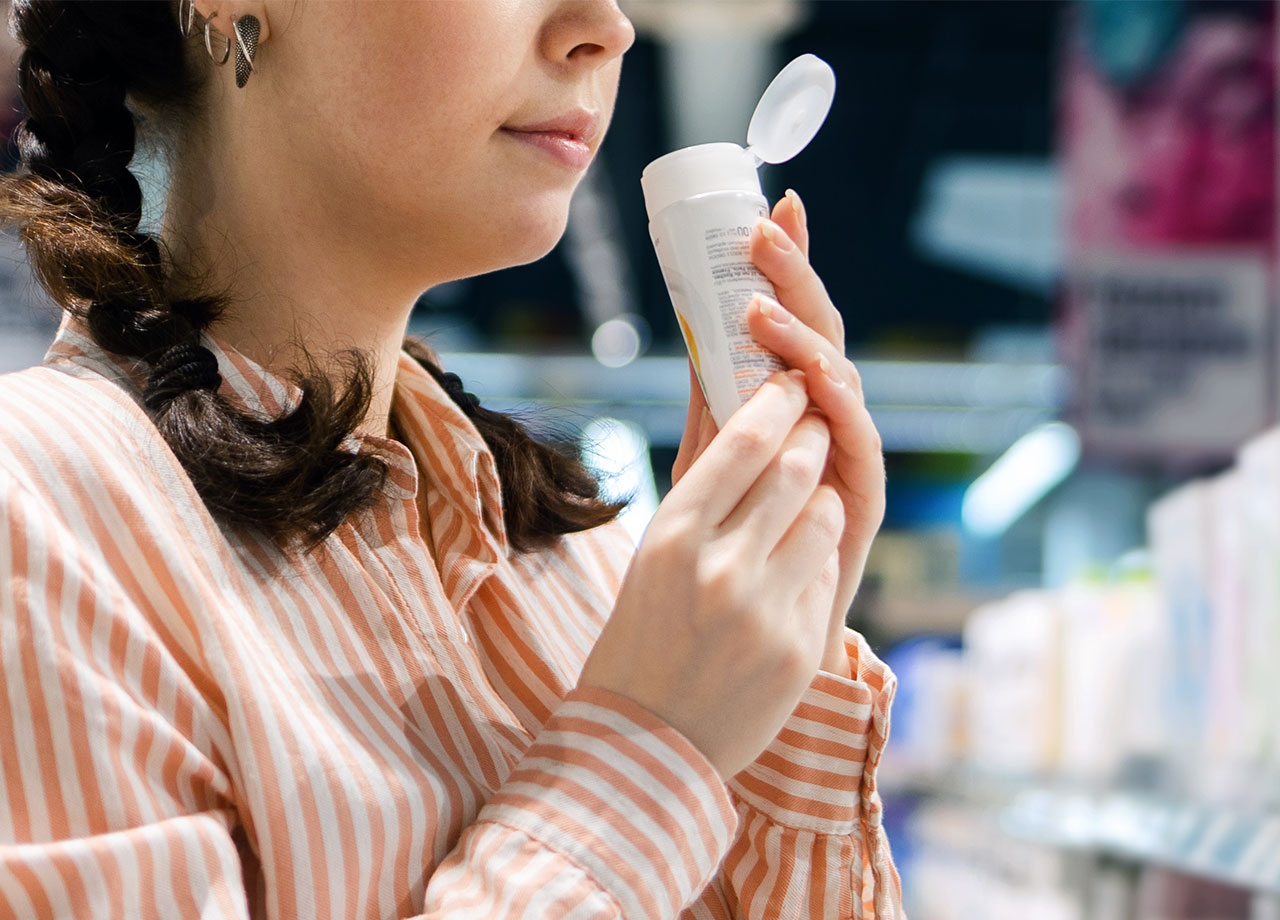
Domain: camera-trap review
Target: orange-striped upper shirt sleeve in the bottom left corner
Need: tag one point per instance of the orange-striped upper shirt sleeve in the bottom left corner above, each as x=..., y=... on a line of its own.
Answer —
x=107, y=809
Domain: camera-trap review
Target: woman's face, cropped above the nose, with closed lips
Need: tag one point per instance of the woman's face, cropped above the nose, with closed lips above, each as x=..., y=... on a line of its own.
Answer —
x=394, y=115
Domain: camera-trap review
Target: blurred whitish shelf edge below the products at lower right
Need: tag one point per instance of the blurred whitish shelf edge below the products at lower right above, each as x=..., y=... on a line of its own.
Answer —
x=1229, y=845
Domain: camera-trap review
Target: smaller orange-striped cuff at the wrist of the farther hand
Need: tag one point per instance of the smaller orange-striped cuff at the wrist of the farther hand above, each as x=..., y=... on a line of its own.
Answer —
x=820, y=772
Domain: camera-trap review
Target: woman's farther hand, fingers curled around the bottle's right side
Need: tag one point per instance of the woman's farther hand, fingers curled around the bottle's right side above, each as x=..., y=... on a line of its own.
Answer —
x=807, y=332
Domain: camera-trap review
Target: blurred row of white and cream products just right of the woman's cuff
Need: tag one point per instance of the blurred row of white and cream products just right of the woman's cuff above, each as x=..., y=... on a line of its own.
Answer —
x=1048, y=684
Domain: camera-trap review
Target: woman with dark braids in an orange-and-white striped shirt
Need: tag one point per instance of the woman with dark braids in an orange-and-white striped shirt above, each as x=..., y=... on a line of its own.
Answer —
x=294, y=628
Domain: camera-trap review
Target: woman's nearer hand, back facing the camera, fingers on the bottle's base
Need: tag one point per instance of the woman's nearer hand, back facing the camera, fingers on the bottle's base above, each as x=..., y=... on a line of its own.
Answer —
x=721, y=621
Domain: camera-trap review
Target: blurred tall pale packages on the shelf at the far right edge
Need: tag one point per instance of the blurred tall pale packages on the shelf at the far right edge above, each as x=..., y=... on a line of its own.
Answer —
x=1217, y=543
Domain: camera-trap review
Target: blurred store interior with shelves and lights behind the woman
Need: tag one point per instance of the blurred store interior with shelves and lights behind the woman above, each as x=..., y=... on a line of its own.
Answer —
x=1052, y=230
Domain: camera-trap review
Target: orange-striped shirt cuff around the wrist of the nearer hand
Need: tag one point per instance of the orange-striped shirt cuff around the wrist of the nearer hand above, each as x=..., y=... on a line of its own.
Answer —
x=627, y=798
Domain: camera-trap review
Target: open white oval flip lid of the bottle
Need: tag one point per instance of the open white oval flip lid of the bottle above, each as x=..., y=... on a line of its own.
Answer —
x=792, y=111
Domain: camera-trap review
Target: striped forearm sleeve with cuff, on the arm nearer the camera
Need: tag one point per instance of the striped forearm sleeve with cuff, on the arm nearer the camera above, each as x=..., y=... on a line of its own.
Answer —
x=610, y=814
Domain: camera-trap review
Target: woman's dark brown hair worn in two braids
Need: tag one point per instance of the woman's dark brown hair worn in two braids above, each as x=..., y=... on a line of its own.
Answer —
x=79, y=208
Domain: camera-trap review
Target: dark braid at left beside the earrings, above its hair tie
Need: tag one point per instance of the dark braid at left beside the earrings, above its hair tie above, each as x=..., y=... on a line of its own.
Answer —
x=81, y=136
